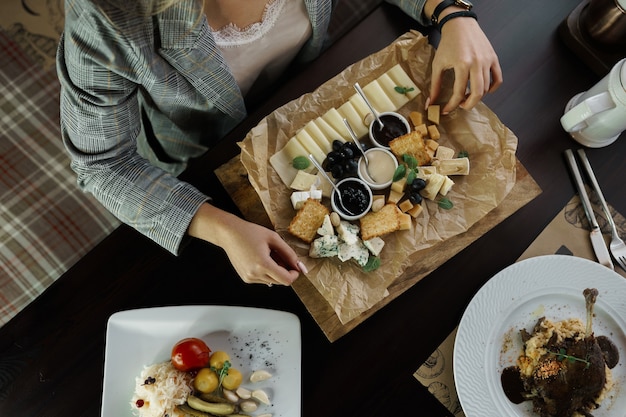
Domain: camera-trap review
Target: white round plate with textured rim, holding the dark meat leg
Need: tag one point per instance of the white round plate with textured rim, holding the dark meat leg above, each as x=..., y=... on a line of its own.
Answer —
x=488, y=340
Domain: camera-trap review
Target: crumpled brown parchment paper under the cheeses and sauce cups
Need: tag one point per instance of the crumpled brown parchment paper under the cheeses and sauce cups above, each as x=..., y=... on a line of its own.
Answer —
x=490, y=146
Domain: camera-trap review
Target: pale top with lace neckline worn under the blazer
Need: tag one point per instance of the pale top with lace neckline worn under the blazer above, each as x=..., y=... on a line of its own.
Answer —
x=260, y=52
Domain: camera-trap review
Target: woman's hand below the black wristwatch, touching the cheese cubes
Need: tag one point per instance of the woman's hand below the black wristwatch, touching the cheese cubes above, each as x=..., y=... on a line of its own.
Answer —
x=464, y=47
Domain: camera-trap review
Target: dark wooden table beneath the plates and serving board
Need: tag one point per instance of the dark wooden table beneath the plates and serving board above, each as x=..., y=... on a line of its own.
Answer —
x=52, y=353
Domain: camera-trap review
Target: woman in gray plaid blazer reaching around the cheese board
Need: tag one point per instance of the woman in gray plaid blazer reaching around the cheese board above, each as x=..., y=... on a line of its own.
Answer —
x=148, y=85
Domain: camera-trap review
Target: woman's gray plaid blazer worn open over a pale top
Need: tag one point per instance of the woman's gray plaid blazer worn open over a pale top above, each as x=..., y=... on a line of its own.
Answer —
x=117, y=72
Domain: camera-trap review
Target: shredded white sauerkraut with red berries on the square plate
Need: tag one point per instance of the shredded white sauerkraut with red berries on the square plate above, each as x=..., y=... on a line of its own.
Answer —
x=159, y=389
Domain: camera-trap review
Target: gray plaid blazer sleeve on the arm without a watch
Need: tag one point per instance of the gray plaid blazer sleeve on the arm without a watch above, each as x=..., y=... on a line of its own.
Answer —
x=100, y=121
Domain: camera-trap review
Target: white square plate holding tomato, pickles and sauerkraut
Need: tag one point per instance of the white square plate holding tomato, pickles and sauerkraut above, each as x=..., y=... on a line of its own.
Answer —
x=255, y=339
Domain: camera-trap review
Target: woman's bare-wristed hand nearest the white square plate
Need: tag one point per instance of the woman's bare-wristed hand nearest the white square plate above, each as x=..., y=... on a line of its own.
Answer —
x=258, y=254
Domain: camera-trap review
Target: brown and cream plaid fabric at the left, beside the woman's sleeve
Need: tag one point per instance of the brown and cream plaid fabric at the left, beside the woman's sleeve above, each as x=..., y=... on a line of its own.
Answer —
x=46, y=222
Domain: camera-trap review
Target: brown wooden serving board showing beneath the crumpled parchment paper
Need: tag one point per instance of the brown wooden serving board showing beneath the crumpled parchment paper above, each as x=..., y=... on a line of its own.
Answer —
x=234, y=178
